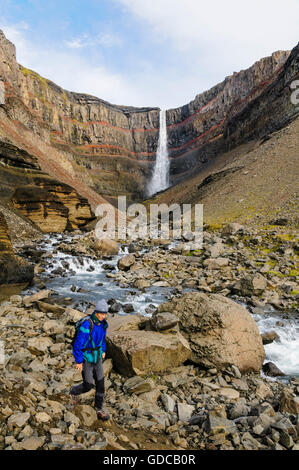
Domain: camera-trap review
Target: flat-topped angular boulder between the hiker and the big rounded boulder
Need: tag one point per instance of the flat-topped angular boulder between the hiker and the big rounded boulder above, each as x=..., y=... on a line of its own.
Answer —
x=137, y=352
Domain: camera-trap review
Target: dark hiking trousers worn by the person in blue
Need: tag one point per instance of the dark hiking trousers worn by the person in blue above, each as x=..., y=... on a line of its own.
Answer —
x=92, y=374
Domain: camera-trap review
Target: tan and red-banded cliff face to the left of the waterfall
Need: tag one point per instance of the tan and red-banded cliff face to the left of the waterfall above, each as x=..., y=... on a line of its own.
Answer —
x=106, y=147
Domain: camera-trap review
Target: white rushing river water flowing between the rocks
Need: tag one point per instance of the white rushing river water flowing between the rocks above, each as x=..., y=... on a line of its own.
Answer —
x=90, y=275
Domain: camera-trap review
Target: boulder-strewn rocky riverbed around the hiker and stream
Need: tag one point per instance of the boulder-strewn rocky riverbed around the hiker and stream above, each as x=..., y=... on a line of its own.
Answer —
x=172, y=392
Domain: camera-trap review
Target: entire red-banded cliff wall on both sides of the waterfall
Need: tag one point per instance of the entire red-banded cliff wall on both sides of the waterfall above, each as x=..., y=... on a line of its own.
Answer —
x=103, y=149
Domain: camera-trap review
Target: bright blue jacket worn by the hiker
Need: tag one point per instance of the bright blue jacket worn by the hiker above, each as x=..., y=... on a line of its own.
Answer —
x=98, y=335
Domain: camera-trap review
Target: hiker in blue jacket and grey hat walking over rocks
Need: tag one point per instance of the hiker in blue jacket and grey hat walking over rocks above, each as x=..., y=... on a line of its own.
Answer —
x=89, y=351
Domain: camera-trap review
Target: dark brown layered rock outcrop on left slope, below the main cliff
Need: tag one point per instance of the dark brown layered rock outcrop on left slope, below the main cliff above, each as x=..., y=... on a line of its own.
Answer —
x=53, y=206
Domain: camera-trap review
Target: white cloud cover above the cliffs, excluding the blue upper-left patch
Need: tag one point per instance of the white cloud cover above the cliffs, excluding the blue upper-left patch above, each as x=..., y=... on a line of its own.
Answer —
x=206, y=40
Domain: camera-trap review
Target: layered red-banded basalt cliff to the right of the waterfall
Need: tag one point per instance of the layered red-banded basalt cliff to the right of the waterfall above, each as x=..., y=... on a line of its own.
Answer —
x=203, y=128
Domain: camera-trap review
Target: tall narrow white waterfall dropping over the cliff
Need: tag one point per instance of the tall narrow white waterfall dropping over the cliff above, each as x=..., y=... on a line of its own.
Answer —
x=160, y=177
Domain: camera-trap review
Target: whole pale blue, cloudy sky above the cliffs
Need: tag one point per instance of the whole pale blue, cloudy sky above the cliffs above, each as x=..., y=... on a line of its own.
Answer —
x=146, y=52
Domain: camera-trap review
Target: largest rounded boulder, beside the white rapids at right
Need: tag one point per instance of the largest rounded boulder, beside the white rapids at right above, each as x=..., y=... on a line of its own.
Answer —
x=220, y=332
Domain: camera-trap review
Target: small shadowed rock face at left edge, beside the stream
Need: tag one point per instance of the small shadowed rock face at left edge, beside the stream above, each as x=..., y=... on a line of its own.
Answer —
x=13, y=269
